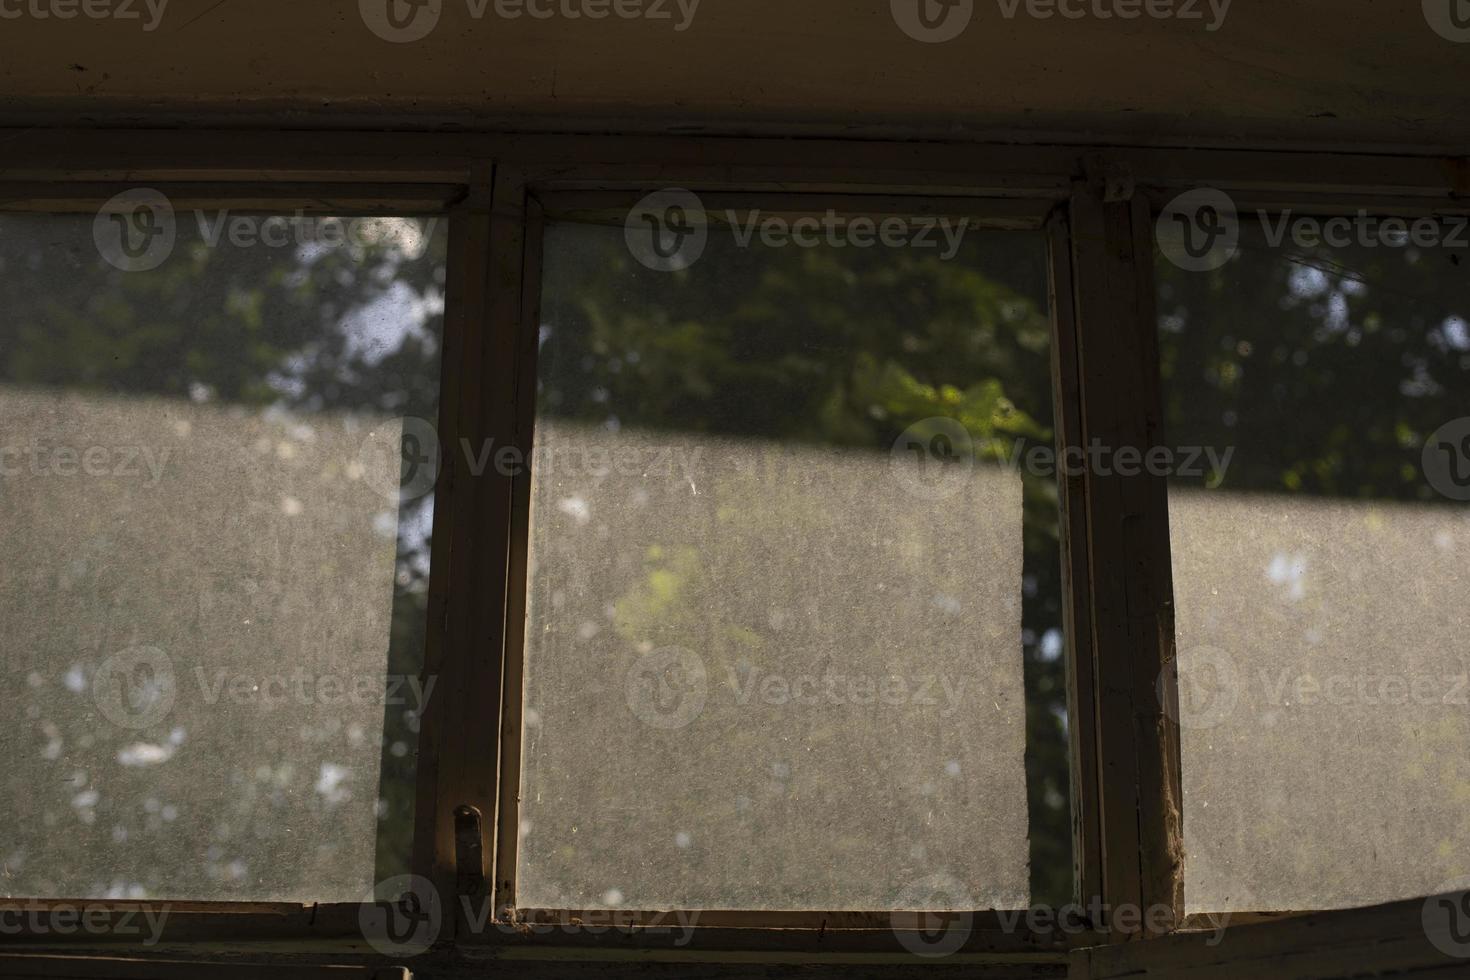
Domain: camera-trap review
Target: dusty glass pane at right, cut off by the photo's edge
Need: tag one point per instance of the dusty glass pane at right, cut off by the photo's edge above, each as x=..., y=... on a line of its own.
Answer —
x=1321, y=584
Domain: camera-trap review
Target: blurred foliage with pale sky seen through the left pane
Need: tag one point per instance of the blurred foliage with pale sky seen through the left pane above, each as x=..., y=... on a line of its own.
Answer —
x=301, y=330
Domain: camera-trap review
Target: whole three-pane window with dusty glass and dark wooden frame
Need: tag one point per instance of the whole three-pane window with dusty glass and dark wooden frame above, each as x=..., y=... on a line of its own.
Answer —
x=764, y=583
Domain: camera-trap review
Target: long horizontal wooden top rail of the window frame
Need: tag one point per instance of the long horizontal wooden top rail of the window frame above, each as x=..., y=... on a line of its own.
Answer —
x=739, y=164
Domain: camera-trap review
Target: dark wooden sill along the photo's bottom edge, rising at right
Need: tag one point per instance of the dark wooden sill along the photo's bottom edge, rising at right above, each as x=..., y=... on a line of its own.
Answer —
x=1387, y=941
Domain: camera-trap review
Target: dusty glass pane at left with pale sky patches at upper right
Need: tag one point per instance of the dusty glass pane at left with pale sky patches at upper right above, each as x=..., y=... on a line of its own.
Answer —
x=212, y=600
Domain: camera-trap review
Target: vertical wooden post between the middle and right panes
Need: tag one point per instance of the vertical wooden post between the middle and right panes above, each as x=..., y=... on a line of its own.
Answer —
x=1130, y=580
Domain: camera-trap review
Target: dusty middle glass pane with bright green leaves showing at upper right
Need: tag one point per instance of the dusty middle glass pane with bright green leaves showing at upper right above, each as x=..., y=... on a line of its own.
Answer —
x=795, y=633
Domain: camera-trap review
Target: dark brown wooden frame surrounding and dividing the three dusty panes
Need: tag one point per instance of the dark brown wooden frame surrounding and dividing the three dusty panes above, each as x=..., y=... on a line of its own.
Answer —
x=1097, y=208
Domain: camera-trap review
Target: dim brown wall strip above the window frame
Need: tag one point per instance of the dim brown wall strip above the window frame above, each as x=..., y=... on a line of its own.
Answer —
x=1280, y=71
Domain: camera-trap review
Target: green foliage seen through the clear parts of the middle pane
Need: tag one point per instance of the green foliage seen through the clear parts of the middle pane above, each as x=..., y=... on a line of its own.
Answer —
x=831, y=349
